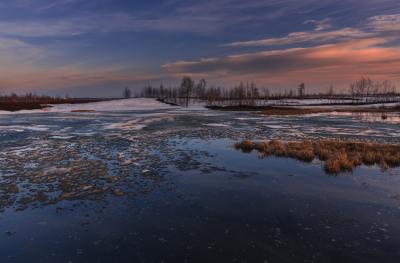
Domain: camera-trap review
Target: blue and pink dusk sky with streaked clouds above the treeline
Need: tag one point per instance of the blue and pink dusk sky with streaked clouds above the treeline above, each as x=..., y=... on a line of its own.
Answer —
x=95, y=48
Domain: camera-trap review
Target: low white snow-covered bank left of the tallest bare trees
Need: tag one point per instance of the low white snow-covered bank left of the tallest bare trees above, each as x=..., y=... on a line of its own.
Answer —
x=136, y=104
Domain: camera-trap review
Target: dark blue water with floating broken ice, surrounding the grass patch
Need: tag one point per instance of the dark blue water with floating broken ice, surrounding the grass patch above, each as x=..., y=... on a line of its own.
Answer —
x=167, y=186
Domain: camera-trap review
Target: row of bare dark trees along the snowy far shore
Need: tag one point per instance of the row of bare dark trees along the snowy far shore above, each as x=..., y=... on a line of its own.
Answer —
x=362, y=91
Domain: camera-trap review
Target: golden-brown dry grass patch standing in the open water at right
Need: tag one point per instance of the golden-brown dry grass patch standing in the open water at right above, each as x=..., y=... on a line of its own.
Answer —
x=338, y=156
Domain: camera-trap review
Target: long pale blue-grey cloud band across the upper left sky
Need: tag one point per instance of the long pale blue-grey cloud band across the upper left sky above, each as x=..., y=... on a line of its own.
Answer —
x=107, y=23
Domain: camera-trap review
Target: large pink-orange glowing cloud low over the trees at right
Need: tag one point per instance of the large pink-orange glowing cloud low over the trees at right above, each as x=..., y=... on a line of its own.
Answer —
x=334, y=62
